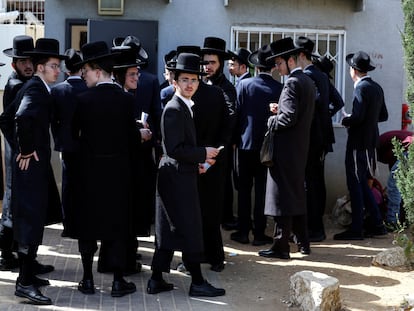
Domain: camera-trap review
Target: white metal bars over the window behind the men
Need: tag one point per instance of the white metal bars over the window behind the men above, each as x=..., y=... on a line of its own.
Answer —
x=327, y=42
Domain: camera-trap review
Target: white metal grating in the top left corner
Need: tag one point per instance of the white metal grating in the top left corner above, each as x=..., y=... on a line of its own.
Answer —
x=31, y=11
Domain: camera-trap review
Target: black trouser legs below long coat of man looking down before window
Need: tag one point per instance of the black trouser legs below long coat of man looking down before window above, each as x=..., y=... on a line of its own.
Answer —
x=284, y=226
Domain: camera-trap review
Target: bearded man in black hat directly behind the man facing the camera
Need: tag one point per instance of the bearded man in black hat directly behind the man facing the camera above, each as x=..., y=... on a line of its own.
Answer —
x=214, y=55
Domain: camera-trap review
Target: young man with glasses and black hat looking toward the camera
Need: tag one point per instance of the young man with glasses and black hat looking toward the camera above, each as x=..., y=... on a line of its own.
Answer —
x=178, y=224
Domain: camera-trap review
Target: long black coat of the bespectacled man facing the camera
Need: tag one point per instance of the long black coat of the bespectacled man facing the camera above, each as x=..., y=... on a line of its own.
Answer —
x=178, y=223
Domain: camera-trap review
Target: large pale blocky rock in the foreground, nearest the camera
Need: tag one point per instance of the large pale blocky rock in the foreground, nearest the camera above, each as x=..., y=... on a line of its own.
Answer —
x=315, y=291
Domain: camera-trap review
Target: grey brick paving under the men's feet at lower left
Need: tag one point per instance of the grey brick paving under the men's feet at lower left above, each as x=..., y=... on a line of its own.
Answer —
x=63, y=254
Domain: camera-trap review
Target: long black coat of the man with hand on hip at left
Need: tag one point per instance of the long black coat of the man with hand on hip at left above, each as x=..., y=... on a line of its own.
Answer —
x=36, y=191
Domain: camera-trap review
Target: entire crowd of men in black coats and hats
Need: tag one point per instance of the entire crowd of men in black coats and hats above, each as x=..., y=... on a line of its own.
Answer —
x=136, y=153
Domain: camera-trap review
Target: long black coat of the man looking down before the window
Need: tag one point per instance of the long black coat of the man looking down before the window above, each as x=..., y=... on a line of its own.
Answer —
x=285, y=189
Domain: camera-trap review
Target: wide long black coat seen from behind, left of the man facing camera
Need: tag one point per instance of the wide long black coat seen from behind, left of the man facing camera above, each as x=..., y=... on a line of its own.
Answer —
x=105, y=126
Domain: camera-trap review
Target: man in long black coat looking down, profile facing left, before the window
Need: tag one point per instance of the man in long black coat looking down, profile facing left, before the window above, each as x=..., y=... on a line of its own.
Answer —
x=285, y=188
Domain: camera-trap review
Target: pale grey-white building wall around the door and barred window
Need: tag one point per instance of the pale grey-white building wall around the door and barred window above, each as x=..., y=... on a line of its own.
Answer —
x=375, y=30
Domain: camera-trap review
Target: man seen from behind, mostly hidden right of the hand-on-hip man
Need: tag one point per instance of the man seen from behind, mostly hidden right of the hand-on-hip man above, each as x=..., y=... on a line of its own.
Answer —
x=63, y=109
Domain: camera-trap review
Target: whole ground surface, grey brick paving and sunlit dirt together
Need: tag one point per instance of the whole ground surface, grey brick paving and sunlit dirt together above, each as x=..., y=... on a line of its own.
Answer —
x=251, y=282
